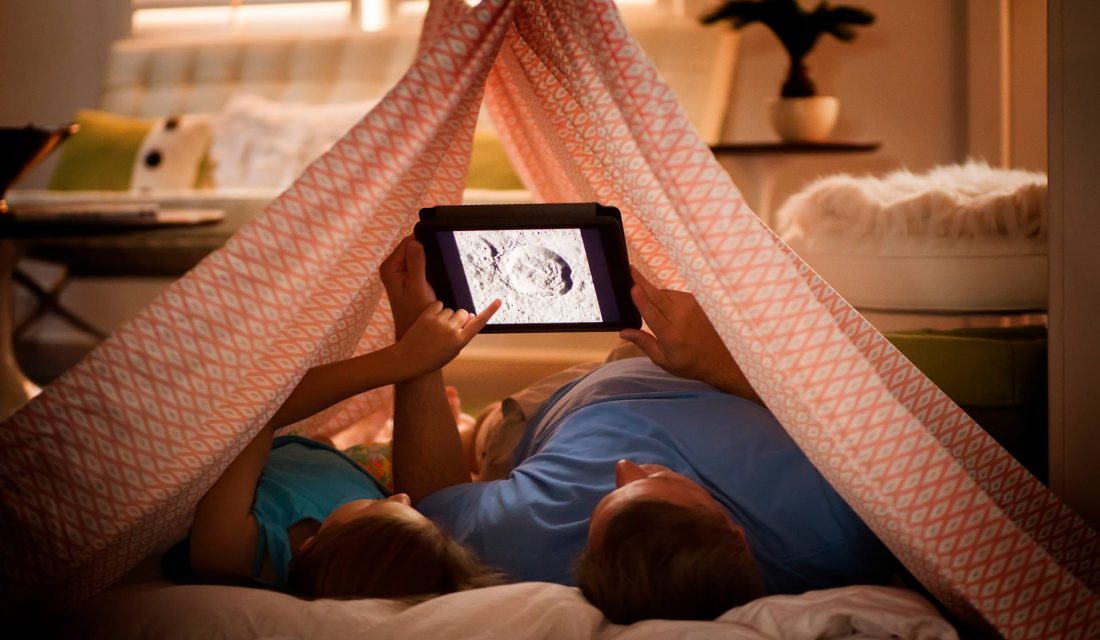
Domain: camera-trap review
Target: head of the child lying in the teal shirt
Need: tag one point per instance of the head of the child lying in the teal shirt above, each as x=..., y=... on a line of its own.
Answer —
x=383, y=549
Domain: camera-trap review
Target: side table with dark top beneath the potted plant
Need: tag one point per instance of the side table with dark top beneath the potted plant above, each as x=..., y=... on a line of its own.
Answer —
x=761, y=164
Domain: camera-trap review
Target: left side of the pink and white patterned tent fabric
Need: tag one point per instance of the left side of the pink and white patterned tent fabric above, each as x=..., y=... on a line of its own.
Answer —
x=166, y=404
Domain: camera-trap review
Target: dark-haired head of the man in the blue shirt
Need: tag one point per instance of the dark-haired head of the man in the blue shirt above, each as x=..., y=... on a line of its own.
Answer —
x=661, y=547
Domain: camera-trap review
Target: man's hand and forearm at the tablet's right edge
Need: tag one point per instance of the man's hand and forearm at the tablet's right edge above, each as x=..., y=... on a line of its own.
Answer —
x=685, y=343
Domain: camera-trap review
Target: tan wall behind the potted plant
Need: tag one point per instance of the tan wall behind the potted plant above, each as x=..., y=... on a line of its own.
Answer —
x=903, y=83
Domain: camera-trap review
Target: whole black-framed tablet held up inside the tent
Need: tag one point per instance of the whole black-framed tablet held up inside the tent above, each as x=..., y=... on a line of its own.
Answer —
x=555, y=268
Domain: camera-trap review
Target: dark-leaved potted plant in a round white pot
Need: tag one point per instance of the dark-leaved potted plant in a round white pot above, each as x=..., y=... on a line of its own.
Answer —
x=800, y=115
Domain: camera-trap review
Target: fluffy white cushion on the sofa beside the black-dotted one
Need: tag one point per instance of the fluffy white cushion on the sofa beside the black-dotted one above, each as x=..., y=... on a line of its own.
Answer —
x=260, y=144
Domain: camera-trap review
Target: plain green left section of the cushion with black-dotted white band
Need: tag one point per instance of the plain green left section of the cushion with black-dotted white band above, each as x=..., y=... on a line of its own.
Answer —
x=101, y=157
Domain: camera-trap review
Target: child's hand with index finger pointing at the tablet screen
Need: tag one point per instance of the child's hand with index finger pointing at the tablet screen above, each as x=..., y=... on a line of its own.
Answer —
x=438, y=335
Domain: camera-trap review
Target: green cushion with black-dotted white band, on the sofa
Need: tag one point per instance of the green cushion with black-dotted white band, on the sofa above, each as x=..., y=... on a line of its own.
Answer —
x=118, y=153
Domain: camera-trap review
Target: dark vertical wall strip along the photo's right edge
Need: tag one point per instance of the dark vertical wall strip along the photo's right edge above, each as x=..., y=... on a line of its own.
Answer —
x=1075, y=273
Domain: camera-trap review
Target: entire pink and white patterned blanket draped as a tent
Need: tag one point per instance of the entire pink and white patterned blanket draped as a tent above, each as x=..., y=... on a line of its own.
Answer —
x=112, y=459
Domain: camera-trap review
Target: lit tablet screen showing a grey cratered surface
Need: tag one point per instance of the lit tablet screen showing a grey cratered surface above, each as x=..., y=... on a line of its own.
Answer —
x=543, y=277
